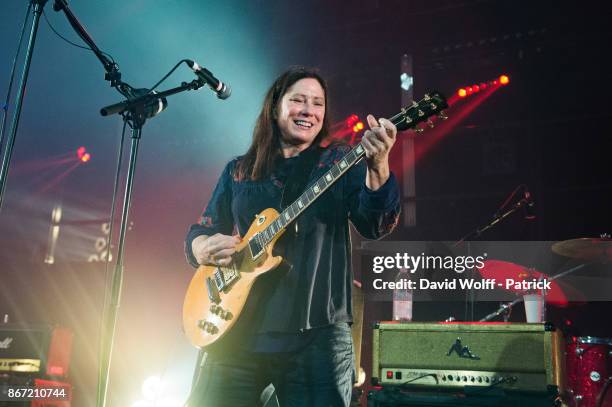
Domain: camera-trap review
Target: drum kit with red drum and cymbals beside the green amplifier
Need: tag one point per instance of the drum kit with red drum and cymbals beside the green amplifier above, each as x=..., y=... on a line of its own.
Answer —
x=588, y=359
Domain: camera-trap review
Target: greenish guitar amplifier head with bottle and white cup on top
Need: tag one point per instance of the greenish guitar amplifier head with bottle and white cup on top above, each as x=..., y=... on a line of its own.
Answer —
x=506, y=356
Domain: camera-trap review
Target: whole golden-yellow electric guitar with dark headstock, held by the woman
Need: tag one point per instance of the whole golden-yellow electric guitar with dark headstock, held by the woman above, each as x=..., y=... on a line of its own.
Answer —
x=216, y=295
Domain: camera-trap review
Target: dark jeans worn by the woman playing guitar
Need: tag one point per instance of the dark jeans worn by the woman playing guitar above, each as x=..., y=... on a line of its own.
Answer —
x=319, y=375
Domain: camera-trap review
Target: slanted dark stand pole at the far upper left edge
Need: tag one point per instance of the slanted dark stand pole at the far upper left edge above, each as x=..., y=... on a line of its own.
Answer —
x=10, y=143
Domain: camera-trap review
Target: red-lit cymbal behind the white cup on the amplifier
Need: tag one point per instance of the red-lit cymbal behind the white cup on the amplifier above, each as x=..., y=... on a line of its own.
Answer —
x=502, y=270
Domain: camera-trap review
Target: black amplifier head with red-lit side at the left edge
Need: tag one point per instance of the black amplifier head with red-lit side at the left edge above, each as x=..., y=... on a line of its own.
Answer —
x=35, y=349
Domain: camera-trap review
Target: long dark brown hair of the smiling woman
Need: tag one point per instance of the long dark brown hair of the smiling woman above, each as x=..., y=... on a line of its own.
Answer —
x=259, y=160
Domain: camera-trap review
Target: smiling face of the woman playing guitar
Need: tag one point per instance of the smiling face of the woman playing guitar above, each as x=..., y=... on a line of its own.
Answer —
x=300, y=113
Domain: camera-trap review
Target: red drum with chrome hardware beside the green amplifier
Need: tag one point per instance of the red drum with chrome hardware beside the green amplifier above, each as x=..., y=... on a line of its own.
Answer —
x=589, y=371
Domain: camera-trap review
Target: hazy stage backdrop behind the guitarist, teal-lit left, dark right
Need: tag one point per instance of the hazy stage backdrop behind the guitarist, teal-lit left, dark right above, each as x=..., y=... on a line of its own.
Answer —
x=549, y=128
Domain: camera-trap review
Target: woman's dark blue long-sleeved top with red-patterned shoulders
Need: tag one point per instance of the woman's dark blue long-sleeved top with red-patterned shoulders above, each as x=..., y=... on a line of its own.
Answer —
x=316, y=292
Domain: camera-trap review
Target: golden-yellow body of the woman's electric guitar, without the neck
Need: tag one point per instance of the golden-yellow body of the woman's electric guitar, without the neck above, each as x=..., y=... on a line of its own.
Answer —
x=207, y=319
